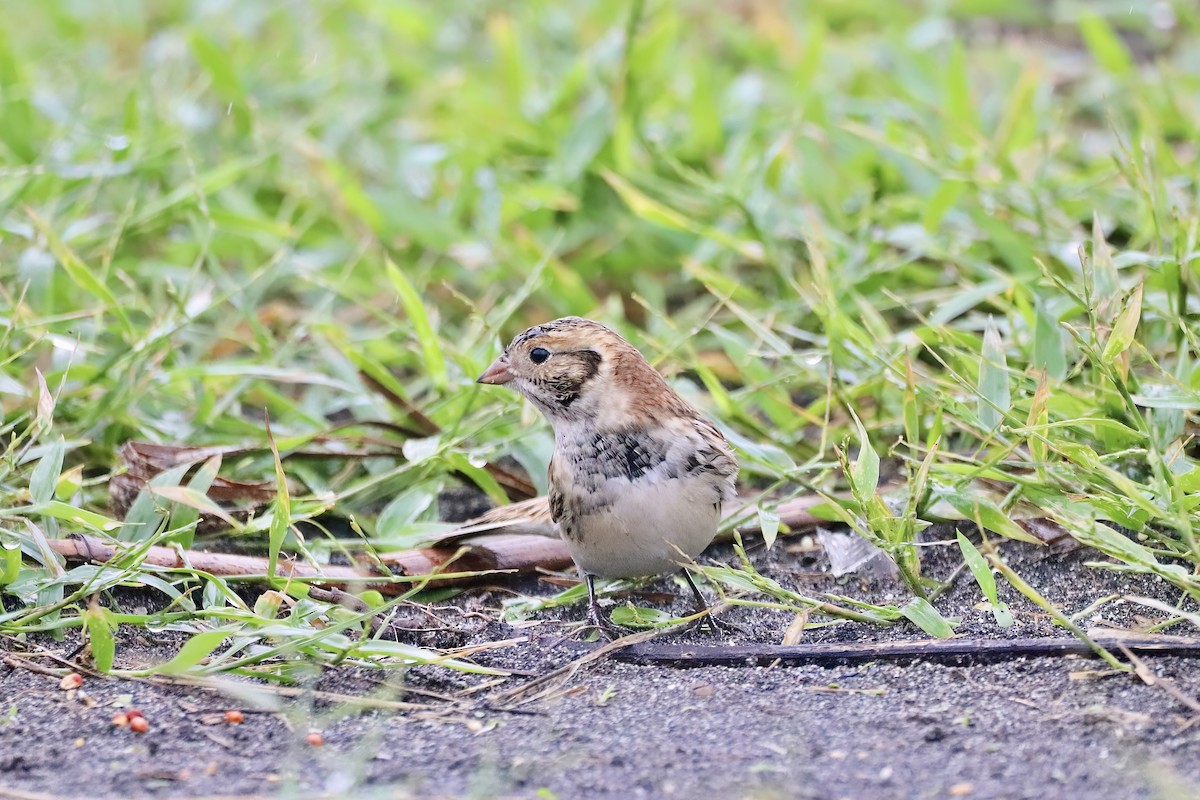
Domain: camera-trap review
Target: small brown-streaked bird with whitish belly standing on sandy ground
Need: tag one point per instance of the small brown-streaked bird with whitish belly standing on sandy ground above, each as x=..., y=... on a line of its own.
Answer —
x=639, y=477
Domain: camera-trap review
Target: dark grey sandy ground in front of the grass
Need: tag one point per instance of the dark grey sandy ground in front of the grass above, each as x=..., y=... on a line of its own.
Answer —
x=1021, y=729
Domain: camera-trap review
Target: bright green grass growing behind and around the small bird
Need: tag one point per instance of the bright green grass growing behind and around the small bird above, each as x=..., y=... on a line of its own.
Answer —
x=952, y=244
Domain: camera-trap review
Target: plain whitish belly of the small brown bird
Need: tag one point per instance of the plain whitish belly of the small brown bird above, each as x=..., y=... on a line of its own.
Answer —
x=649, y=531
